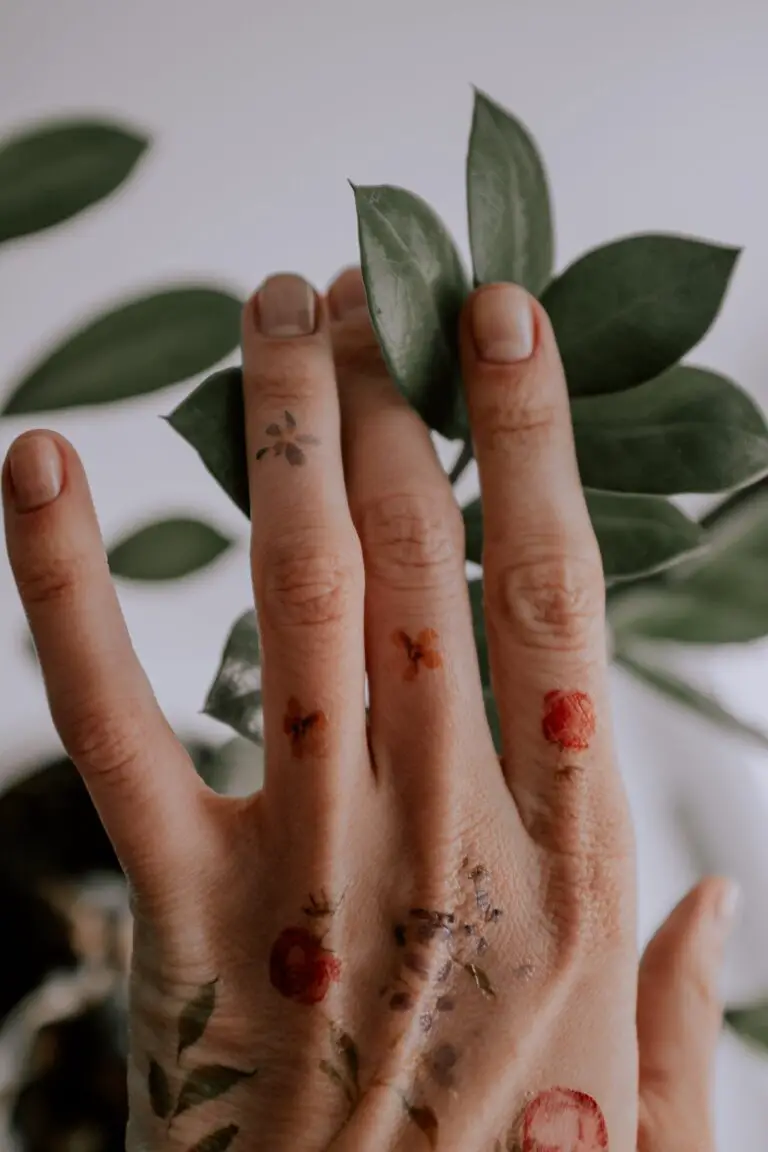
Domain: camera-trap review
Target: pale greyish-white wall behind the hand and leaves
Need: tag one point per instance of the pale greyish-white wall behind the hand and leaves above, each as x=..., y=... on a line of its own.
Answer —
x=651, y=117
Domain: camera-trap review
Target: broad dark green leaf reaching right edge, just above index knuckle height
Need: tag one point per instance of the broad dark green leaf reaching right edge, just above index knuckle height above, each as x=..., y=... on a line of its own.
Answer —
x=690, y=430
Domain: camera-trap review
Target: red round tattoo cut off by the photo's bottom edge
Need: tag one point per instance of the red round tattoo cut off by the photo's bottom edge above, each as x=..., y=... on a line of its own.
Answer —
x=561, y=1120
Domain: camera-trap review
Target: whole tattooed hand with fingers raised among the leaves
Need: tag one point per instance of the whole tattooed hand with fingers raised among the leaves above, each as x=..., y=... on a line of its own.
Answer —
x=402, y=942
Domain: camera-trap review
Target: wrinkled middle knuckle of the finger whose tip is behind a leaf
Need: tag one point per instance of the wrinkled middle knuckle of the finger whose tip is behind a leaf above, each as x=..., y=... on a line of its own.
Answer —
x=413, y=541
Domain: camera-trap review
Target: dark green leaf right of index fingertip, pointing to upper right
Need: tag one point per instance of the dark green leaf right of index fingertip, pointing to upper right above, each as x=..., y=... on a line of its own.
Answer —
x=627, y=313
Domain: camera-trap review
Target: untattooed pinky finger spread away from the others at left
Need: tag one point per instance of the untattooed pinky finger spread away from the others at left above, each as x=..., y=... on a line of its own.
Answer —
x=139, y=775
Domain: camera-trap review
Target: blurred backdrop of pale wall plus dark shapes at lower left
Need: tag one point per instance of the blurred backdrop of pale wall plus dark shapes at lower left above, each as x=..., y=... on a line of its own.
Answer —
x=651, y=118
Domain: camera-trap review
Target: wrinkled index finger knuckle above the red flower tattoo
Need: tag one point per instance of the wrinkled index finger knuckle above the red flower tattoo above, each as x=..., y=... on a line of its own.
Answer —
x=553, y=602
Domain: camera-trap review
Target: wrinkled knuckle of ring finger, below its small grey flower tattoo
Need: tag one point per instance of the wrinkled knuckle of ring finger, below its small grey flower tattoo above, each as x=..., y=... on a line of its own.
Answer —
x=307, y=583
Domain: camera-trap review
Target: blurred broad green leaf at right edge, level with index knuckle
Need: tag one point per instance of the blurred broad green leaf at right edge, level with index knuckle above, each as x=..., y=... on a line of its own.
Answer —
x=719, y=597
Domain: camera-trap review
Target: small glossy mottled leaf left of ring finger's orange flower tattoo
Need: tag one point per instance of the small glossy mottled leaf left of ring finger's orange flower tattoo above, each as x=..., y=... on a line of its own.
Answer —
x=235, y=696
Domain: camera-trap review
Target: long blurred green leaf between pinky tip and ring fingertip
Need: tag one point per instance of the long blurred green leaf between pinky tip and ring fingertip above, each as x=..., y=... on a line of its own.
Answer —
x=136, y=348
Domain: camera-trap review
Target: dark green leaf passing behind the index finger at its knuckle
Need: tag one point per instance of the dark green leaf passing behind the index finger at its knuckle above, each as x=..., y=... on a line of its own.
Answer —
x=637, y=535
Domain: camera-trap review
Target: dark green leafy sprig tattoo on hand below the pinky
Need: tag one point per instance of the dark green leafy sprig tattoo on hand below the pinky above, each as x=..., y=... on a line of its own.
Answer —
x=203, y=1083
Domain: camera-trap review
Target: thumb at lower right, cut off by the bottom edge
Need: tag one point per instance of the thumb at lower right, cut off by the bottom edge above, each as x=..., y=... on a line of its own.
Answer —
x=680, y=1018
